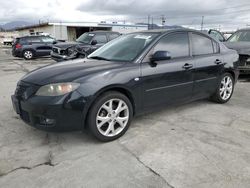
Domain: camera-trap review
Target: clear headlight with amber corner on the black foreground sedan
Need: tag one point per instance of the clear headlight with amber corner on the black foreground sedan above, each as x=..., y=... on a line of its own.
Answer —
x=57, y=89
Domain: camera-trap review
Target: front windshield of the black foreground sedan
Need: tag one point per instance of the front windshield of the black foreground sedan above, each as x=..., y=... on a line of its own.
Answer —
x=124, y=48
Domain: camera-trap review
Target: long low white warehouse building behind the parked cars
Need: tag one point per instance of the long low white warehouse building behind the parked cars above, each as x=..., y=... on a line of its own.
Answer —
x=70, y=31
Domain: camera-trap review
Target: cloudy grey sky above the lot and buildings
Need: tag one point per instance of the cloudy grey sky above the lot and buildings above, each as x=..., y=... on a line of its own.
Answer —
x=224, y=14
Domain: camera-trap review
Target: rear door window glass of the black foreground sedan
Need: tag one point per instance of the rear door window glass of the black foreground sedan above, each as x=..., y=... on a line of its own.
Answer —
x=201, y=45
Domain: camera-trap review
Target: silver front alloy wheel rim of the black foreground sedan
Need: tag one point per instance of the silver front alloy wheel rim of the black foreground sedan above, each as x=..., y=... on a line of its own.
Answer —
x=112, y=117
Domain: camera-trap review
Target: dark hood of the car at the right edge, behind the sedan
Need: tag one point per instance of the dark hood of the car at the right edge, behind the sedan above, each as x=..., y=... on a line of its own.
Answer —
x=241, y=47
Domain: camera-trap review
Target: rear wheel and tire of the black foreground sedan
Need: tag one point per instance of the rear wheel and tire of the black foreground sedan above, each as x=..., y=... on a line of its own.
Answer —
x=225, y=89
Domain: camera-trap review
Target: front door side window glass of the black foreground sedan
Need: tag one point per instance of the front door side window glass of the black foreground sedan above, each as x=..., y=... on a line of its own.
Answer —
x=177, y=44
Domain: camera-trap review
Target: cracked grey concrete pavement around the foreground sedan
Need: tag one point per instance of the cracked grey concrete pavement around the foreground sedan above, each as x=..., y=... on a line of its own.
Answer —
x=201, y=144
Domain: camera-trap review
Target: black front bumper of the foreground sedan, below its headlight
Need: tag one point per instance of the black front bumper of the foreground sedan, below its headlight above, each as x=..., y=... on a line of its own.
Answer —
x=52, y=113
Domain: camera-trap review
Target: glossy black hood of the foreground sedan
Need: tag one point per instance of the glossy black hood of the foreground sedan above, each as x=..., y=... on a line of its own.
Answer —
x=69, y=71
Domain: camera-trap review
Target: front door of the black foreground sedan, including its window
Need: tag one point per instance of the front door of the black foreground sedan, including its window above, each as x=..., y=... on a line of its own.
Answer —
x=169, y=81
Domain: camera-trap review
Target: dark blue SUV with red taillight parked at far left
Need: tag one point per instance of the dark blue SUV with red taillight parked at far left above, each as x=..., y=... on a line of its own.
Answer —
x=30, y=47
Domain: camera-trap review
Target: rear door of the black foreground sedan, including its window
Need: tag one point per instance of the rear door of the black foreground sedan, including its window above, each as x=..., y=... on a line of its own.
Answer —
x=208, y=65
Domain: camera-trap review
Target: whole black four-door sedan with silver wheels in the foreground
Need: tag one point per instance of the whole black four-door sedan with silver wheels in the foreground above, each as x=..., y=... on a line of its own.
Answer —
x=131, y=75
